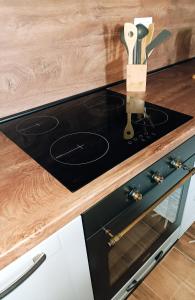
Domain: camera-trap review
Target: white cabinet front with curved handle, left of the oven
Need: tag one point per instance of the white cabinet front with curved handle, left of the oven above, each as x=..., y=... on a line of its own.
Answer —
x=63, y=275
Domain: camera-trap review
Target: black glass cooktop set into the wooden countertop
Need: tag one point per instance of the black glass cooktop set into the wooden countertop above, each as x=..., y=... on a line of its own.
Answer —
x=79, y=140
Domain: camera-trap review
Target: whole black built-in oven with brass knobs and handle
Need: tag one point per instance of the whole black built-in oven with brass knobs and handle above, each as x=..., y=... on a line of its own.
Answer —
x=130, y=230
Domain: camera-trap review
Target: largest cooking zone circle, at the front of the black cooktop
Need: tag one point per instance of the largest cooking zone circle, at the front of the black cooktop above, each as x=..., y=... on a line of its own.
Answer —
x=80, y=148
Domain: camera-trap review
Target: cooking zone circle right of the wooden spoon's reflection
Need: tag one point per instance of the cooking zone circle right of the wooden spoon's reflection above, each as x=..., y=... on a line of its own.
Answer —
x=154, y=117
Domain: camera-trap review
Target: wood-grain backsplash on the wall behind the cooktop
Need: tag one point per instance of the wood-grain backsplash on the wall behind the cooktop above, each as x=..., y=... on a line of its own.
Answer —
x=51, y=49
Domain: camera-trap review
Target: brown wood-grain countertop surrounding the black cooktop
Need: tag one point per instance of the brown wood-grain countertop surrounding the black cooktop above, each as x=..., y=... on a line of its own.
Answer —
x=33, y=204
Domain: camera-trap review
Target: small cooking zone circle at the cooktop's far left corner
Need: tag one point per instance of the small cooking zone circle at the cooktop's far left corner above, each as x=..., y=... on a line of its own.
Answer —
x=37, y=125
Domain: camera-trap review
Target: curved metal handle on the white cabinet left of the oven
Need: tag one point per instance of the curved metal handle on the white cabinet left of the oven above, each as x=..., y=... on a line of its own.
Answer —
x=37, y=261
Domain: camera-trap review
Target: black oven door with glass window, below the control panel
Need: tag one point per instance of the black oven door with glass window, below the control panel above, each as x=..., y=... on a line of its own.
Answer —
x=113, y=263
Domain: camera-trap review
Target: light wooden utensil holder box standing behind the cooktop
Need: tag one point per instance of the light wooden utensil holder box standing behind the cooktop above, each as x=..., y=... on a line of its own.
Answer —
x=136, y=78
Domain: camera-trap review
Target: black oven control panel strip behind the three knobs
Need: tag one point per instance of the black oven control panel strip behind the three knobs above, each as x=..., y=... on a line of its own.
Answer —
x=117, y=202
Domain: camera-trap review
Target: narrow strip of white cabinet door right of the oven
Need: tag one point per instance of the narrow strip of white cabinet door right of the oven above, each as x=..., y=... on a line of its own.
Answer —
x=189, y=210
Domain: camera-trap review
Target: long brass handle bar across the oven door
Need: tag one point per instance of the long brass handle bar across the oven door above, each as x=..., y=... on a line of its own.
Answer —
x=115, y=238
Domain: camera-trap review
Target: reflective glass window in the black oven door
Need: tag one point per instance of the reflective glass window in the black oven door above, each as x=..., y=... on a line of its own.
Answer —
x=137, y=245
